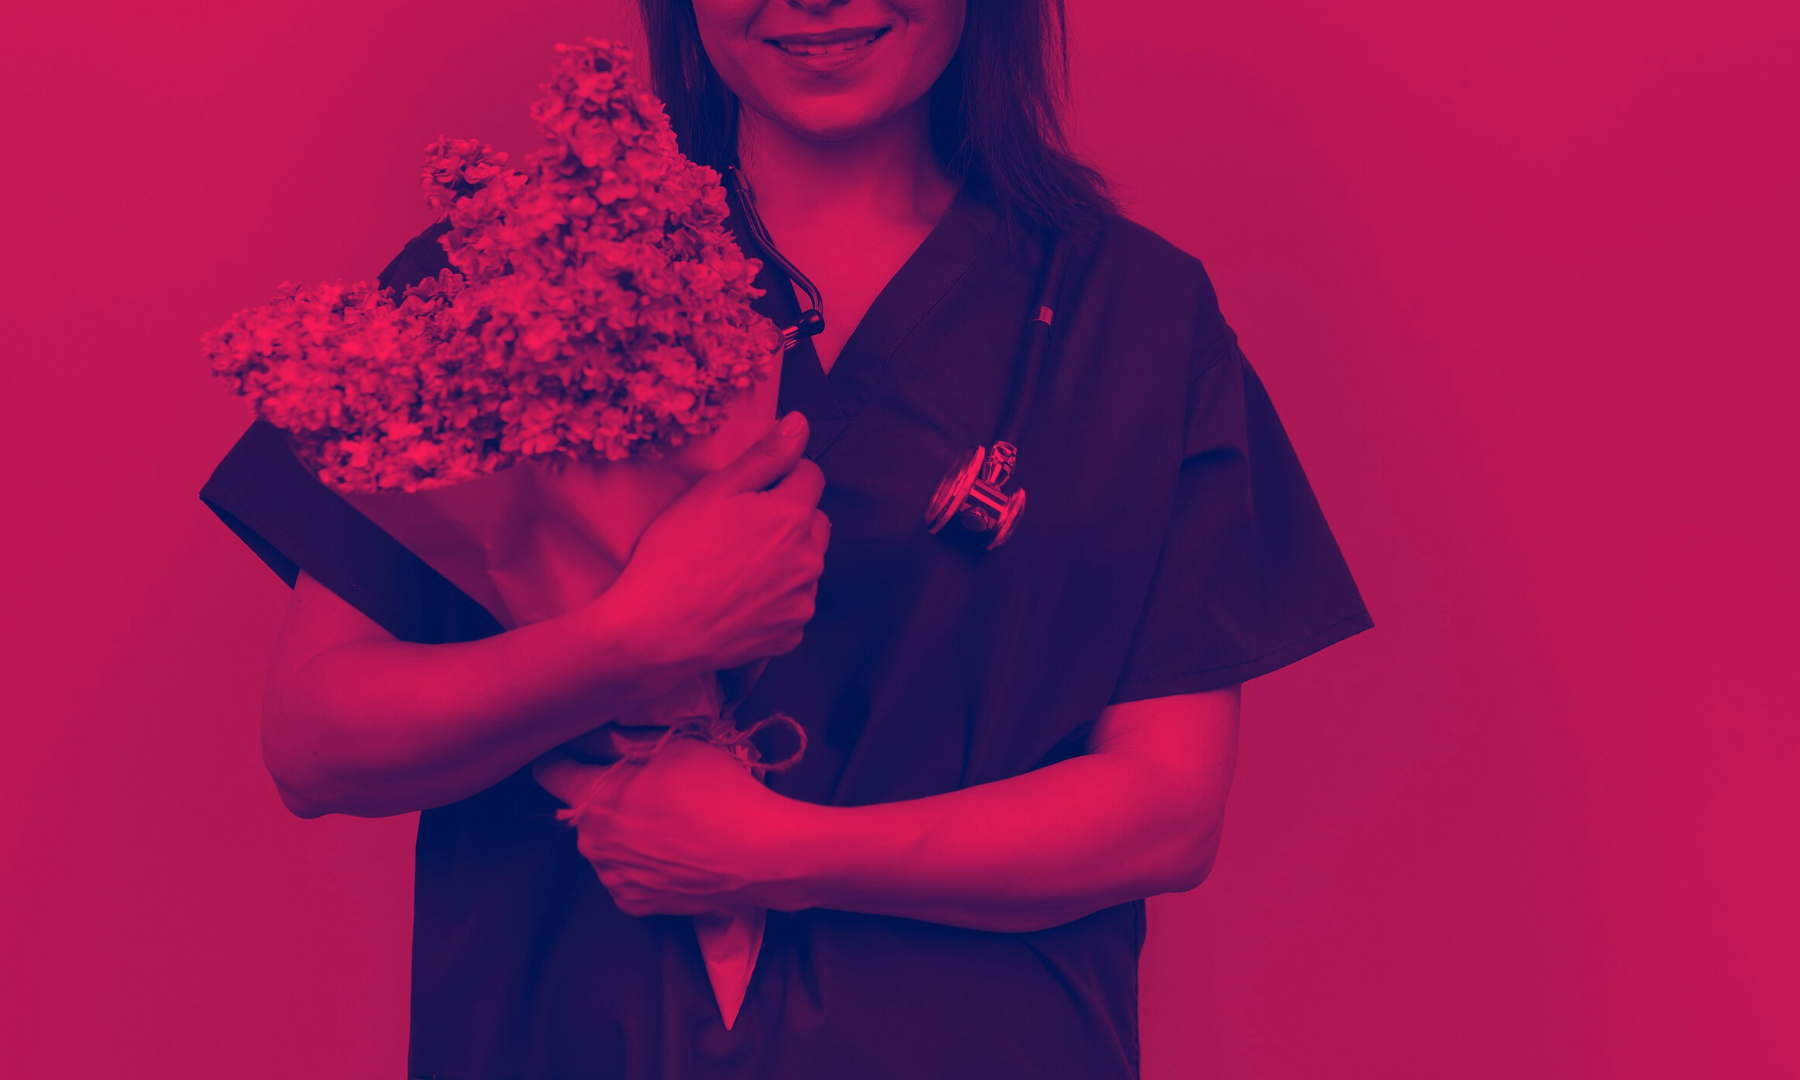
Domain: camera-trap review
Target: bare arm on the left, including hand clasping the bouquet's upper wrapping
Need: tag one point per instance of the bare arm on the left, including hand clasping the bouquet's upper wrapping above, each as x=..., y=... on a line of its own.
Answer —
x=359, y=723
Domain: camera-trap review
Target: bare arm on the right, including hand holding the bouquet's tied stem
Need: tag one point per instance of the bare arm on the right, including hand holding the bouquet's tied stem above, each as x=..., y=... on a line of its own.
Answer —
x=1137, y=816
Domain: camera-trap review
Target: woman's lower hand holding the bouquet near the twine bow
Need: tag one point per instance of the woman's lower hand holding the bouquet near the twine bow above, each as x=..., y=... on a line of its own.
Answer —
x=688, y=832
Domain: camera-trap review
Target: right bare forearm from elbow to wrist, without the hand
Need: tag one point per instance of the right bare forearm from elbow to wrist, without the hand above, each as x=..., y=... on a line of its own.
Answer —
x=1023, y=854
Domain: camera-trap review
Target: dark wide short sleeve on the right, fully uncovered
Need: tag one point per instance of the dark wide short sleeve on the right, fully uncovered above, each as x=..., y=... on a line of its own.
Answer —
x=1250, y=577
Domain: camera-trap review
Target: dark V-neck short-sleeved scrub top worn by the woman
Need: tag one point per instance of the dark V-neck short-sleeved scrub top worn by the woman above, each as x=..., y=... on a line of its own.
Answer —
x=1171, y=546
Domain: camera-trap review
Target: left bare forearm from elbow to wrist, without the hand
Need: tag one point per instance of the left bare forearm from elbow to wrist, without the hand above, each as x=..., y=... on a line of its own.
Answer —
x=375, y=728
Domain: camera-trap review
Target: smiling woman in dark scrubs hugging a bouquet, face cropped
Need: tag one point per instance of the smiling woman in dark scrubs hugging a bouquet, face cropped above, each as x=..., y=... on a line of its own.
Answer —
x=1009, y=750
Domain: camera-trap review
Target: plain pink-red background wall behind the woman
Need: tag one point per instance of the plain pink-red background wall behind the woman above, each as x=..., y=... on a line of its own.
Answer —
x=1520, y=278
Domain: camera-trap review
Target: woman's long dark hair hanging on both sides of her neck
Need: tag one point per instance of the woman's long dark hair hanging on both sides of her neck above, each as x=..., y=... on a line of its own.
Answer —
x=996, y=111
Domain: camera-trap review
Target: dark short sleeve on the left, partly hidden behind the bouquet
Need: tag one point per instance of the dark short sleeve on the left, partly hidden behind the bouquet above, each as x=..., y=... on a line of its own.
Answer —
x=294, y=523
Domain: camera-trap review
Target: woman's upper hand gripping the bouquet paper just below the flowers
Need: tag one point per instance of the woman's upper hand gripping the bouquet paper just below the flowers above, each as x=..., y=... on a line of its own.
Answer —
x=728, y=573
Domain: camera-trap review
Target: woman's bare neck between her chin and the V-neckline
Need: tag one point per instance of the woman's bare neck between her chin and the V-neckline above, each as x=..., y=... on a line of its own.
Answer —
x=885, y=177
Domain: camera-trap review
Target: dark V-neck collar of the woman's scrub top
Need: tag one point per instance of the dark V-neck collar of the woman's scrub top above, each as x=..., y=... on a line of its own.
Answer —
x=832, y=400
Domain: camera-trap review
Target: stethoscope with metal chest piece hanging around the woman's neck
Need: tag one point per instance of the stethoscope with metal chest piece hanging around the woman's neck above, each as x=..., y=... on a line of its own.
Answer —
x=976, y=489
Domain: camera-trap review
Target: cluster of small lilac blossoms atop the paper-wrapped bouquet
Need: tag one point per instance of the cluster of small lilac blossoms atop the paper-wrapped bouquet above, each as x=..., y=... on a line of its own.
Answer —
x=595, y=309
